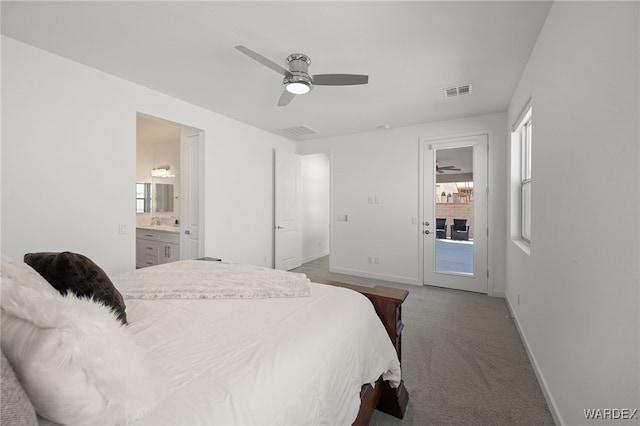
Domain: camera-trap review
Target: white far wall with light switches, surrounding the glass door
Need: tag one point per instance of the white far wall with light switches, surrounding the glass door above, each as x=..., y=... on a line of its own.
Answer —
x=385, y=163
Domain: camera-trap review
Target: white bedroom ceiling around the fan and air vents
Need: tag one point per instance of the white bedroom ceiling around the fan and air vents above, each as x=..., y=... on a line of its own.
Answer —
x=410, y=50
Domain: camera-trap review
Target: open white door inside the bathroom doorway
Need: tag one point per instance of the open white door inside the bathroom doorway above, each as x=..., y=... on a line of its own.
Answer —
x=191, y=241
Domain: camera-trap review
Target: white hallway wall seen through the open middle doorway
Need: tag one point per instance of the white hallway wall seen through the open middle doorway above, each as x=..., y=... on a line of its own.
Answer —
x=316, y=202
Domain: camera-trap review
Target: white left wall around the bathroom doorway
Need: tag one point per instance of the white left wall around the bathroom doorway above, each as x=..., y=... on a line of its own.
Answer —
x=69, y=164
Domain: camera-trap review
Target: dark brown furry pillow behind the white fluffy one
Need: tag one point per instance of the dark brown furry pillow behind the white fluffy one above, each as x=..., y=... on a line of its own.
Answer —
x=78, y=274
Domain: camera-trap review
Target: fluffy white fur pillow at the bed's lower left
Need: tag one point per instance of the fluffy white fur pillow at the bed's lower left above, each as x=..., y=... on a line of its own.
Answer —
x=76, y=361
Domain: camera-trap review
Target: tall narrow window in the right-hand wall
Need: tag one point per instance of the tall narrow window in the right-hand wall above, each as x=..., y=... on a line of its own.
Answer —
x=524, y=131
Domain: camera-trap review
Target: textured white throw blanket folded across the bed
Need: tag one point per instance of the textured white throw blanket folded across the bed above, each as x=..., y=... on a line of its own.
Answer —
x=196, y=279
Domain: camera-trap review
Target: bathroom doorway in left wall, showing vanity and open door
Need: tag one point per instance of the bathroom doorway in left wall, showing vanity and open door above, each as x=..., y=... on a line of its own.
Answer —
x=169, y=190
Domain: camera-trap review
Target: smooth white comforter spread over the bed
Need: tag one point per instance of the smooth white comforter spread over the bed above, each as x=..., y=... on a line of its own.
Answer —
x=287, y=361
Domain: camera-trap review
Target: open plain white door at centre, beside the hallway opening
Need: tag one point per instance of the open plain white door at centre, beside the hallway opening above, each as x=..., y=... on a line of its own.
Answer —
x=287, y=235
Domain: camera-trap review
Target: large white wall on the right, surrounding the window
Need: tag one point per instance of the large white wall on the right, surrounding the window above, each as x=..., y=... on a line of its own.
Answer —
x=579, y=298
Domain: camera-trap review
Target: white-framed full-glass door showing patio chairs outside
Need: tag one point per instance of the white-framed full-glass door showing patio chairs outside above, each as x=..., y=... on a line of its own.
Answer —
x=455, y=256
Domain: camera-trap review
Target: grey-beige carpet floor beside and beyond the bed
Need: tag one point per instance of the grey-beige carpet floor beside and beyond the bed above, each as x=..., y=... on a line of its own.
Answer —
x=463, y=362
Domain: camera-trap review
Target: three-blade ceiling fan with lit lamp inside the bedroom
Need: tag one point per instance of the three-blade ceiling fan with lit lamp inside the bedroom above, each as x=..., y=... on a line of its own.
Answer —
x=297, y=80
